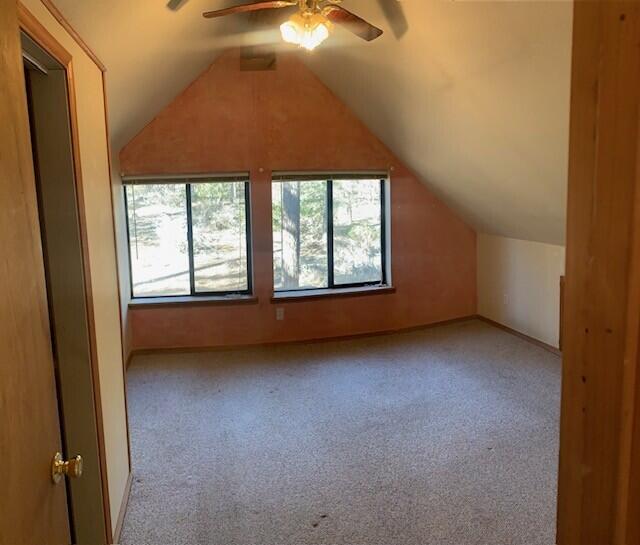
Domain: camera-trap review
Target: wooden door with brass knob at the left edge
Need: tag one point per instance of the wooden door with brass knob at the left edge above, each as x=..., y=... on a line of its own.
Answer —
x=32, y=508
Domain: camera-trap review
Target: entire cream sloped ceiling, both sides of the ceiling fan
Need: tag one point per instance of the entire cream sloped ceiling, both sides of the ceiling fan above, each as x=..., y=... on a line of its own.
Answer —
x=474, y=97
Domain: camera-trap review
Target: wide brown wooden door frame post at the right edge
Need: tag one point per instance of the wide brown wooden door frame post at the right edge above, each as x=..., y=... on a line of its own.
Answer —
x=598, y=493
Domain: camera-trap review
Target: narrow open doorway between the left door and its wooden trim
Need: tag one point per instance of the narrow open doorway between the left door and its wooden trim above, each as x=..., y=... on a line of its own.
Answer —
x=66, y=283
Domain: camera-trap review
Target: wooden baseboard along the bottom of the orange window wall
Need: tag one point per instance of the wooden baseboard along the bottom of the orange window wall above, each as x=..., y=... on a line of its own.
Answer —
x=190, y=349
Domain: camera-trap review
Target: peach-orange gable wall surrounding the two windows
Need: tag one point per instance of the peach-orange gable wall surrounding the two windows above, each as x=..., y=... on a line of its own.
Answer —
x=286, y=119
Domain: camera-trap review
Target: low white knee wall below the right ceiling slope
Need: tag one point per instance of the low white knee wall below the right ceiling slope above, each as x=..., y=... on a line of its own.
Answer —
x=519, y=285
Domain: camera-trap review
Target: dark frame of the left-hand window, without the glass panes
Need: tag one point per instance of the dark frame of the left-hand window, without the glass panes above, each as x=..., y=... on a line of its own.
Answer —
x=187, y=183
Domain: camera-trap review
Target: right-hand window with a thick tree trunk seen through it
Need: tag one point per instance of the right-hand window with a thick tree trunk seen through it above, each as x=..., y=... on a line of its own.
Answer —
x=328, y=233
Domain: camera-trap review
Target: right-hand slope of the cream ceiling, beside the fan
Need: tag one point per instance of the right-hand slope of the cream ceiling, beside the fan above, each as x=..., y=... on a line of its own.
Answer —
x=474, y=98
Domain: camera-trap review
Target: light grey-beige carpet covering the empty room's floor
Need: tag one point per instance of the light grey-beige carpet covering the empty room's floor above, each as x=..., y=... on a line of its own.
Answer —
x=444, y=436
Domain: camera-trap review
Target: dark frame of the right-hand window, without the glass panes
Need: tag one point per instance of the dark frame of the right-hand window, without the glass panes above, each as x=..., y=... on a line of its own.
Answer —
x=331, y=284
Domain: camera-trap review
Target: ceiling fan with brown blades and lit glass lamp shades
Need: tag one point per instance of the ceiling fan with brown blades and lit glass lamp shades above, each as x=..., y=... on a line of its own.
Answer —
x=312, y=21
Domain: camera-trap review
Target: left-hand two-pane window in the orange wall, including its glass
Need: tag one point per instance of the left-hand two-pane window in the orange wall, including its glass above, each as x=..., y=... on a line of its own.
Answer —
x=189, y=237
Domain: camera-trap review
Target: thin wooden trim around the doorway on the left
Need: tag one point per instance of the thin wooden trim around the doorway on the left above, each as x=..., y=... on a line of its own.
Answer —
x=42, y=37
